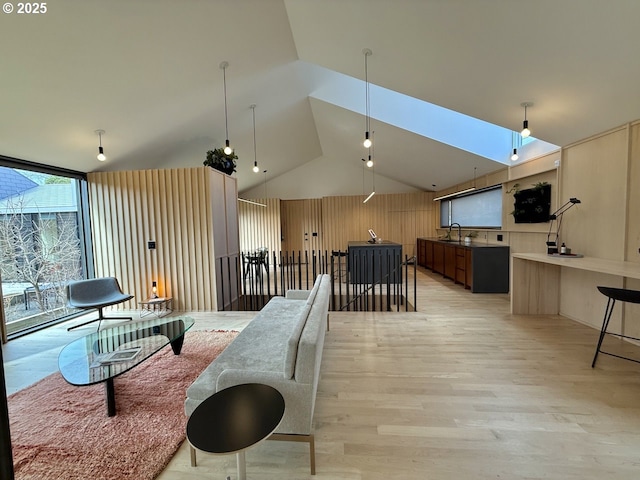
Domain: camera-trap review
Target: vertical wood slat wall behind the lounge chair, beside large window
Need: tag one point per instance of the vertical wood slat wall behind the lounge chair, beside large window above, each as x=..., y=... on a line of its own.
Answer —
x=171, y=207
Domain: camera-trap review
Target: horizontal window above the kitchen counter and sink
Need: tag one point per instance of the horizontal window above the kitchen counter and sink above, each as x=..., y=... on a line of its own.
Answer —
x=478, y=209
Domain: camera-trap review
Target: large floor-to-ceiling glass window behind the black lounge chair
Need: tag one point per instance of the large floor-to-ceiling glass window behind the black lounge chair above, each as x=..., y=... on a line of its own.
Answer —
x=43, y=243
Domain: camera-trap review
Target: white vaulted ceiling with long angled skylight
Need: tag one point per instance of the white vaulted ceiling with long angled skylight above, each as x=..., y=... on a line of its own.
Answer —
x=148, y=73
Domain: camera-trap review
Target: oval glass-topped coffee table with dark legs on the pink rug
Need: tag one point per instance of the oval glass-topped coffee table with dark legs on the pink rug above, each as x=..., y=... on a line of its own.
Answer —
x=102, y=356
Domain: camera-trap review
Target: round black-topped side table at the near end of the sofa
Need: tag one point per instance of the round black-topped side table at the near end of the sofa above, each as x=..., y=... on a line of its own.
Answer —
x=234, y=419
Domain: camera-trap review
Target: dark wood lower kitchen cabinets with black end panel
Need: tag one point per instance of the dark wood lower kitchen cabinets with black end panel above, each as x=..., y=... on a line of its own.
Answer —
x=479, y=268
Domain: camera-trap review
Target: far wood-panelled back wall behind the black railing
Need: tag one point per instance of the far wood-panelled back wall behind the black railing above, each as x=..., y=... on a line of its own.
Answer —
x=337, y=220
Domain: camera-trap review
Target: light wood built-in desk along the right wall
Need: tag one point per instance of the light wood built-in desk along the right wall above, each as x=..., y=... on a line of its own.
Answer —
x=535, y=279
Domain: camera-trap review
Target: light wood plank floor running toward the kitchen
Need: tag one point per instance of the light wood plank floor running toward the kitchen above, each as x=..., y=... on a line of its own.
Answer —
x=460, y=389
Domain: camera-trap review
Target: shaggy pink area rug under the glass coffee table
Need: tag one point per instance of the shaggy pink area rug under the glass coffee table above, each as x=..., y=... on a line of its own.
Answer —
x=59, y=431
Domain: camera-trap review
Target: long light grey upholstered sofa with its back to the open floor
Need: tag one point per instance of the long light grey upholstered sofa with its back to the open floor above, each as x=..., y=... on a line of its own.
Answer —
x=281, y=347
